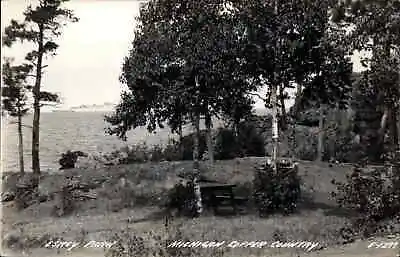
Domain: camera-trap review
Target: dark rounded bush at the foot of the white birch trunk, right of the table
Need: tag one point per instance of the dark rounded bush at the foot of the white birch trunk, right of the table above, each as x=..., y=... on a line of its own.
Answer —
x=276, y=192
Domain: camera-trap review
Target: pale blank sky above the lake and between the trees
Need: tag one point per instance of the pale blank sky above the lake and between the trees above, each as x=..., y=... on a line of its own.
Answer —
x=89, y=60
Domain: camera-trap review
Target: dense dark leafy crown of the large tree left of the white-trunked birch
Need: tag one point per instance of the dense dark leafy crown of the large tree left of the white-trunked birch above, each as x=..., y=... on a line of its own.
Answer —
x=190, y=42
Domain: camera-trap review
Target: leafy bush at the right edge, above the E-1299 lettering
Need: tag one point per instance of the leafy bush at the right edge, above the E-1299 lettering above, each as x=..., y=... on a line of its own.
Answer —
x=374, y=196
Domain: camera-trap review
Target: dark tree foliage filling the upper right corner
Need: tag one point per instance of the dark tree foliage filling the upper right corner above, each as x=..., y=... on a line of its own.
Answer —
x=376, y=29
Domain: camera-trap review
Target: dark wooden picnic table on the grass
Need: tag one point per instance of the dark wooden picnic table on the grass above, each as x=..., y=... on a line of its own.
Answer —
x=215, y=194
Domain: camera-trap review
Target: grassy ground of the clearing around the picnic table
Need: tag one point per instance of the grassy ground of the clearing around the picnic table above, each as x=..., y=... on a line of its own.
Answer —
x=317, y=220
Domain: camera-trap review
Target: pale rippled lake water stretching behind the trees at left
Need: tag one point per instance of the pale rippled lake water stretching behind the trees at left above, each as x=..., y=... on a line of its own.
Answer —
x=62, y=131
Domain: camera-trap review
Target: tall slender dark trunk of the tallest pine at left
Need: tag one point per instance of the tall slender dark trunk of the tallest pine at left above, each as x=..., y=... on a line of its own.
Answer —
x=36, y=108
